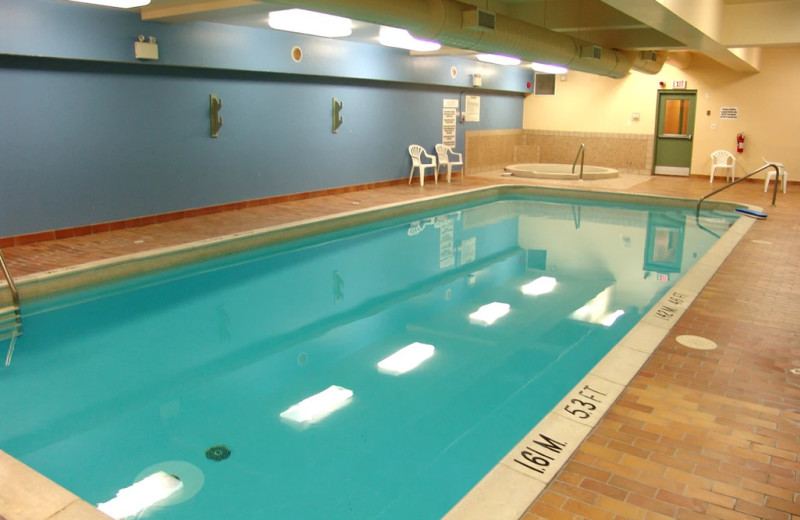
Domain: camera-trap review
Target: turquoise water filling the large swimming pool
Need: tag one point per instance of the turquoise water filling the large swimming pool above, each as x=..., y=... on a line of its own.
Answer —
x=110, y=384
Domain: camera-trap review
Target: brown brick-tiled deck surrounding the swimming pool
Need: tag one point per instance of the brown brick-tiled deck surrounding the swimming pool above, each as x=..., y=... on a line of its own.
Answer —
x=696, y=434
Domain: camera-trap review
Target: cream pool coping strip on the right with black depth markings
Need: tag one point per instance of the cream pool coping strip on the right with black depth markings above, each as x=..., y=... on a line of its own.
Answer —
x=509, y=489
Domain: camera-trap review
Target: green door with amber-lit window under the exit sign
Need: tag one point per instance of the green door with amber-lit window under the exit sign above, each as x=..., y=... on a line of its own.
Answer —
x=674, y=132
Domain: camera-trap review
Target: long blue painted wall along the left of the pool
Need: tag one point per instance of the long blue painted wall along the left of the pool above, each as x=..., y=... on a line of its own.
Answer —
x=89, y=135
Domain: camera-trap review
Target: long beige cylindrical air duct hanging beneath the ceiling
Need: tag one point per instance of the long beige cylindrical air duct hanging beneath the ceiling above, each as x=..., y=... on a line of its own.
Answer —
x=444, y=21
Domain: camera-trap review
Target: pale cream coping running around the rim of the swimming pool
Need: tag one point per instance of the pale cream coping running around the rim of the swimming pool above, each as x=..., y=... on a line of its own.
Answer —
x=508, y=490
